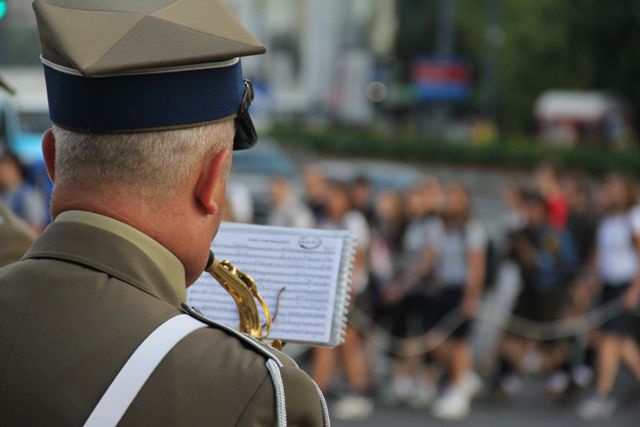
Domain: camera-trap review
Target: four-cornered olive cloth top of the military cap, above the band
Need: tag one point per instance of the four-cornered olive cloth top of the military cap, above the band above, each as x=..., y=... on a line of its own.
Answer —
x=105, y=37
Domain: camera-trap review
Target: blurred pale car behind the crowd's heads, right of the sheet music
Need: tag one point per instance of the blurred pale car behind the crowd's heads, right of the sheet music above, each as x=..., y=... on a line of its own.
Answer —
x=382, y=174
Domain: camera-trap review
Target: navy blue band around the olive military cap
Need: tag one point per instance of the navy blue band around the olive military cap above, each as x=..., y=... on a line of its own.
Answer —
x=141, y=102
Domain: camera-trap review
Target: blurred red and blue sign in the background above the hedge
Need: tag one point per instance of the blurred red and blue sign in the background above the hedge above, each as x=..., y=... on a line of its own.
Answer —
x=441, y=79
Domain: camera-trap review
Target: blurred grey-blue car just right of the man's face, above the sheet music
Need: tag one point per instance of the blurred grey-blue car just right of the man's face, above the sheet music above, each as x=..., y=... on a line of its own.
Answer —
x=253, y=170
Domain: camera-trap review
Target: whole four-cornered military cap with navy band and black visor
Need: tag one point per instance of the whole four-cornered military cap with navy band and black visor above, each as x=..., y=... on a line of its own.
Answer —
x=122, y=66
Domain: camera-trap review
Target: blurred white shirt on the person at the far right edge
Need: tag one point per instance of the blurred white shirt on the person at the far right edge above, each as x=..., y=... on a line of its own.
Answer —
x=617, y=254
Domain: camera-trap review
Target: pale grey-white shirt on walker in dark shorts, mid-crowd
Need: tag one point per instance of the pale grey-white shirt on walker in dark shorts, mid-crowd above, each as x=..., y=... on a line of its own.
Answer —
x=453, y=247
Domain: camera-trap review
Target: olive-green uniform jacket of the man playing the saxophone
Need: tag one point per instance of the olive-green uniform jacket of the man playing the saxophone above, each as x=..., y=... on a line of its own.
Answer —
x=78, y=305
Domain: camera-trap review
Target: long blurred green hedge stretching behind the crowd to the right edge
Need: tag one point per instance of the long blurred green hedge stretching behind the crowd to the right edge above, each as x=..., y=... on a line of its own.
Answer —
x=518, y=153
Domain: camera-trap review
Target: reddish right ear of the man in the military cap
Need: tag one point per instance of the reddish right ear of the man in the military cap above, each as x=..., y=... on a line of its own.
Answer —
x=210, y=189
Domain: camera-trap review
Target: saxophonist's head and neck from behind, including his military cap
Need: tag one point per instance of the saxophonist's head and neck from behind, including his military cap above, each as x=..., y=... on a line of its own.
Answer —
x=137, y=154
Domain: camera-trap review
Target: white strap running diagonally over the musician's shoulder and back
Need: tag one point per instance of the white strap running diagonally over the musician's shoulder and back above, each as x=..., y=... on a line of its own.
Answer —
x=138, y=369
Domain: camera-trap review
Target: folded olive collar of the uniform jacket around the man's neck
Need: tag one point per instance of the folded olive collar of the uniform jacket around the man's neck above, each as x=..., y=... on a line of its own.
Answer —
x=116, y=249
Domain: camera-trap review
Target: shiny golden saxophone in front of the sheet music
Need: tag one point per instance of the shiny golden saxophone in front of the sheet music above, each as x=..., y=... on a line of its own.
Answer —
x=242, y=288
